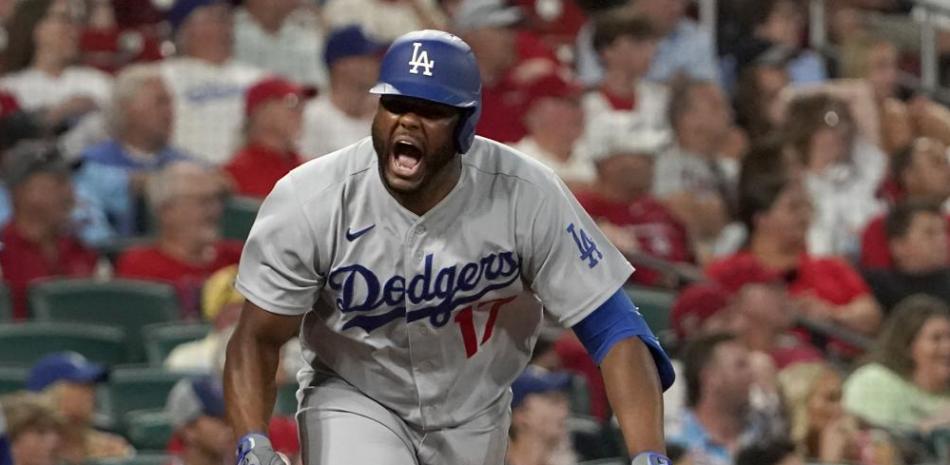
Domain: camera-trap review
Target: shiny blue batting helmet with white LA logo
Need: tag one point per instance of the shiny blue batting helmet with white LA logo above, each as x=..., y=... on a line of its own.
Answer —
x=439, y=67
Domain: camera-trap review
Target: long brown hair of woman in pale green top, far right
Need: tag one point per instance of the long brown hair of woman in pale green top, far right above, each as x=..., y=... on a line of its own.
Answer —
x=892, y=349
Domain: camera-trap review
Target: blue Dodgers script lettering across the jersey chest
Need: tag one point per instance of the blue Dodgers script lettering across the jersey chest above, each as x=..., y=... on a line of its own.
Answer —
x=437, y=292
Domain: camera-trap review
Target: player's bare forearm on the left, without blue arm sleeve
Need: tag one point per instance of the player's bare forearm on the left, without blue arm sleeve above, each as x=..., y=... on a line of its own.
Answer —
x=250, y=382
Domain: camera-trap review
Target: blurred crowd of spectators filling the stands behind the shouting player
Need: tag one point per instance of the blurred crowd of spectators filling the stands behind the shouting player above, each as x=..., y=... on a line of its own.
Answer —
x=787, y=207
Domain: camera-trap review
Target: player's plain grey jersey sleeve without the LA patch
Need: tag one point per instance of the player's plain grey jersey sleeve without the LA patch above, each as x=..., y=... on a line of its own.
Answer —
x=279, y=265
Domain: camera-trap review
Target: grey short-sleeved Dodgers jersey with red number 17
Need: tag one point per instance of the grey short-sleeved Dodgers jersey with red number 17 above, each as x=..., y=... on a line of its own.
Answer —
x=433, y=316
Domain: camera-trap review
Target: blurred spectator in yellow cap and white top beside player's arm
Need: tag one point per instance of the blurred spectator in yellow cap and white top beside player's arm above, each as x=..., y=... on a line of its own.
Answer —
x=221, y=307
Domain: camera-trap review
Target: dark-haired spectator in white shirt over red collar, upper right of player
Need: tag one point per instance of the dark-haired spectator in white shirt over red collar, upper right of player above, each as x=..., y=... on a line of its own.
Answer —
x=625, y=44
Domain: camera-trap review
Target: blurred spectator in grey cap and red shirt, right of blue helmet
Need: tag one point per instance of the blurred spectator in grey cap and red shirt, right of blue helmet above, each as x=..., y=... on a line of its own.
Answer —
x=488, y=26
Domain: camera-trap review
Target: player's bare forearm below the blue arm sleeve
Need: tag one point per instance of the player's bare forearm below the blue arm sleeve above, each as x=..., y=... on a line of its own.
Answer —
x=633, y=389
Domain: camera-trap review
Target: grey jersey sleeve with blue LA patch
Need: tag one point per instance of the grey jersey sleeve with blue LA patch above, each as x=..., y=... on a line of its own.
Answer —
x=567, y=262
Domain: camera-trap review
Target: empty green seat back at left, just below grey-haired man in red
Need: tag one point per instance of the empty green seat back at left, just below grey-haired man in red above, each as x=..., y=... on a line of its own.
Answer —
x=127, y=304
